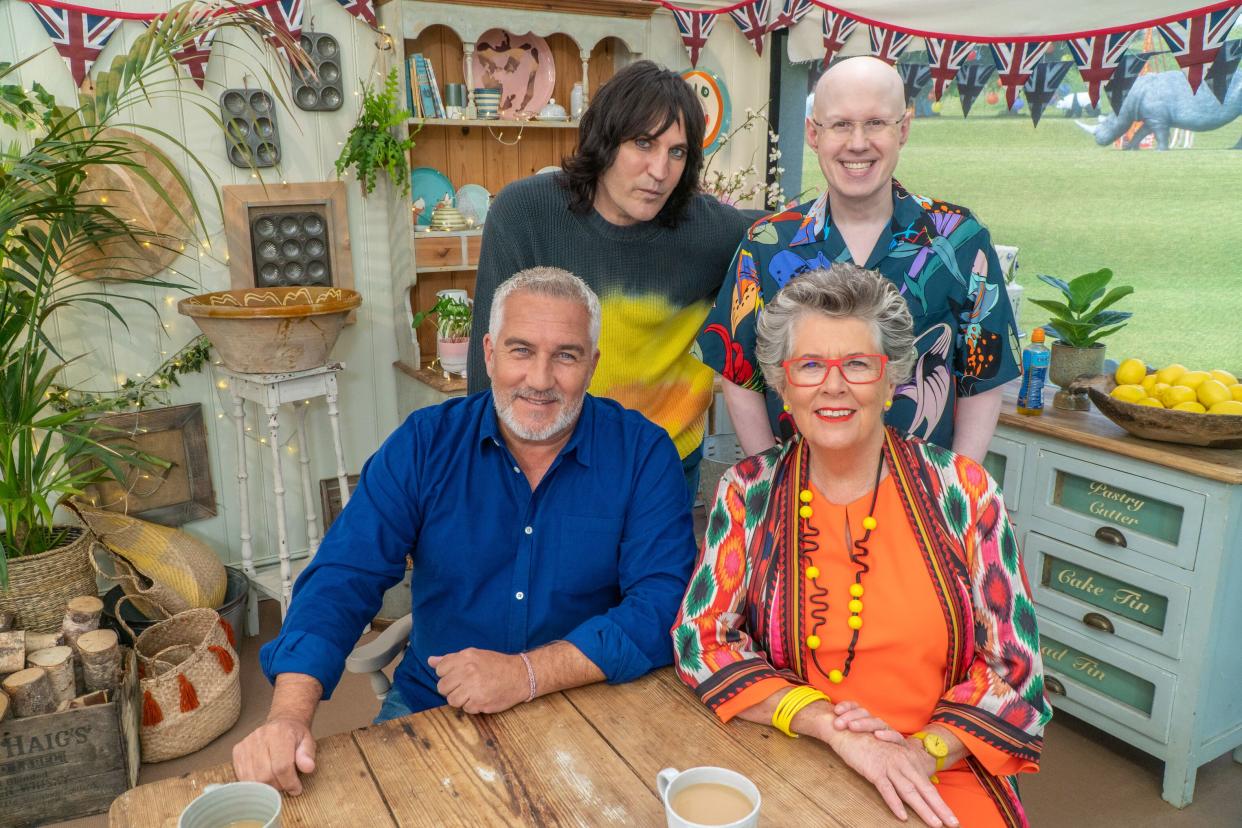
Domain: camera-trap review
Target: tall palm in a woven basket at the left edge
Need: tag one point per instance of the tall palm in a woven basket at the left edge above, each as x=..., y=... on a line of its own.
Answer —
x=49, y=449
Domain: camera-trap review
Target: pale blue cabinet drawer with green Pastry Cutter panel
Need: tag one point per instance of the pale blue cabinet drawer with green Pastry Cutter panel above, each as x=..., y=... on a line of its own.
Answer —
x=1125, y=517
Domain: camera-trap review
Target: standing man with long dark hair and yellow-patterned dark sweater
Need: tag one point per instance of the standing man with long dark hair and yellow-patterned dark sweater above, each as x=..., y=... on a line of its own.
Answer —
x=627, y=217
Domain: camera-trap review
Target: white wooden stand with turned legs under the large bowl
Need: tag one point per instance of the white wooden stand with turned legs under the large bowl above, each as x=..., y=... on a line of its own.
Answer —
x=271, y=392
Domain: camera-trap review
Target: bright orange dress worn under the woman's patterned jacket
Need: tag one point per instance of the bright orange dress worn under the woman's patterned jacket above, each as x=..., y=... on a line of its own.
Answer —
x=902, y=652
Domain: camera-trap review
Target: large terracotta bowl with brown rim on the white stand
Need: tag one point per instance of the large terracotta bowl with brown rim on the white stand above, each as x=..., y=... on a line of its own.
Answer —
x=273, y=331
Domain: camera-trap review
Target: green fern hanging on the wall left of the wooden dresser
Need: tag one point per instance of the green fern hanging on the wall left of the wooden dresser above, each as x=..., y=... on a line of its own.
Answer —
x=372, y=146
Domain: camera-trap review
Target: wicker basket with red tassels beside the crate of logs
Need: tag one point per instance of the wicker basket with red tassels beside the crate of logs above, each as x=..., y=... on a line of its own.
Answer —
x=191, y=686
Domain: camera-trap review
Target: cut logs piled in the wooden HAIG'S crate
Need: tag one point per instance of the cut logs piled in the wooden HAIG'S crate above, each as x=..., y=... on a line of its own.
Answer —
x=45, y=673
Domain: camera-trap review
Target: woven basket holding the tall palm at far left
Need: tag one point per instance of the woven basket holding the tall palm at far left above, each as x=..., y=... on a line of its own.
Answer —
x=42, y=585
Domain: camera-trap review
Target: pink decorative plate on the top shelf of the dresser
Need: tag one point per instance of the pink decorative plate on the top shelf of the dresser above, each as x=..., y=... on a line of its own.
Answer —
x=521, y=65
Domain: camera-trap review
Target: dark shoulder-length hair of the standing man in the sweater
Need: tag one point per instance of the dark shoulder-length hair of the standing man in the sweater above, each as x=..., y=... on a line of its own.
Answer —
x=640, y=100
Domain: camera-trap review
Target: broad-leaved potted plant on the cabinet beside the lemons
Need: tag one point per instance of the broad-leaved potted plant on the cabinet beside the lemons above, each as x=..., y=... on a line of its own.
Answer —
x=1079, y=325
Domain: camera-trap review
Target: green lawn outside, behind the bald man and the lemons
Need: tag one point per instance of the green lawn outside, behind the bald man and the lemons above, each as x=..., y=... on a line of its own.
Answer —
x=1171, y=224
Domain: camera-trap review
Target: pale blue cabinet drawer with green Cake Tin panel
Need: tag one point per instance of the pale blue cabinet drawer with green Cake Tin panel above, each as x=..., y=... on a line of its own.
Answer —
x=1107, y=599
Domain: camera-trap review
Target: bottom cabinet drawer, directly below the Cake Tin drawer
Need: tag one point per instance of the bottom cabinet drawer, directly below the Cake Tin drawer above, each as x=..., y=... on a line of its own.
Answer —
x=1113, y=685
